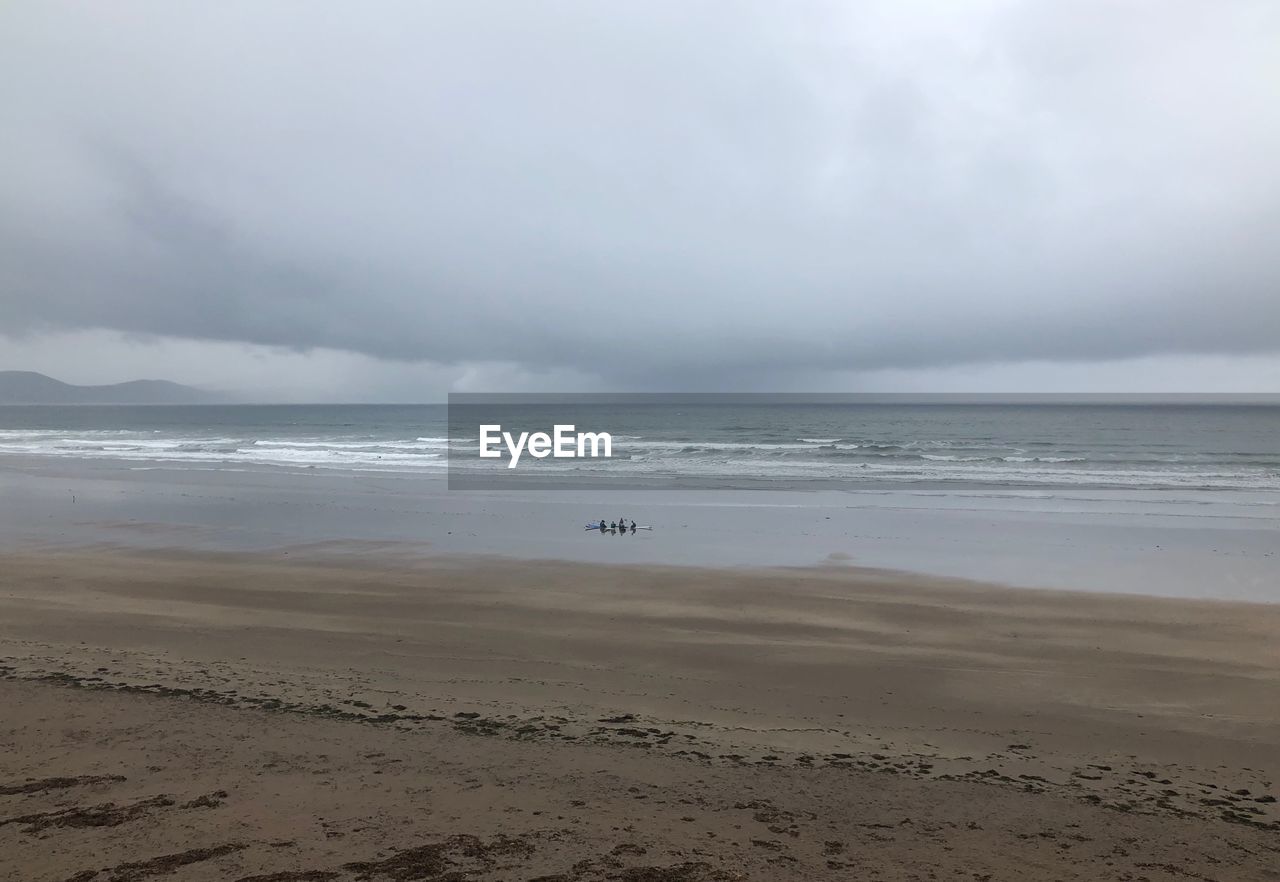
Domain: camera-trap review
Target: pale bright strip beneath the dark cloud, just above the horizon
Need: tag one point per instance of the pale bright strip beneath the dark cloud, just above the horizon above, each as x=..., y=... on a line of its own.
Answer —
x=282, y=376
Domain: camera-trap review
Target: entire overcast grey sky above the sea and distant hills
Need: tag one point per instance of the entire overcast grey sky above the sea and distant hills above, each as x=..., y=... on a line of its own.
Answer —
x=388, y=202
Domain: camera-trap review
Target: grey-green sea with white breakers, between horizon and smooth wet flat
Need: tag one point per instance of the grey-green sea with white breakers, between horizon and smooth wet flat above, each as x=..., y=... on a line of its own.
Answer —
x=1148, y=447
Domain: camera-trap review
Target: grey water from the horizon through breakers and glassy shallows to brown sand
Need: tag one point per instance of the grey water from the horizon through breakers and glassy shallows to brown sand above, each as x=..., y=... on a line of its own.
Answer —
x=1180, y=500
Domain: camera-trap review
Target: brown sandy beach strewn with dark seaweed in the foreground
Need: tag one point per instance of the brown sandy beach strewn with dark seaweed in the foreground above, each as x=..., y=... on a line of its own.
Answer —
x=349, y=714
